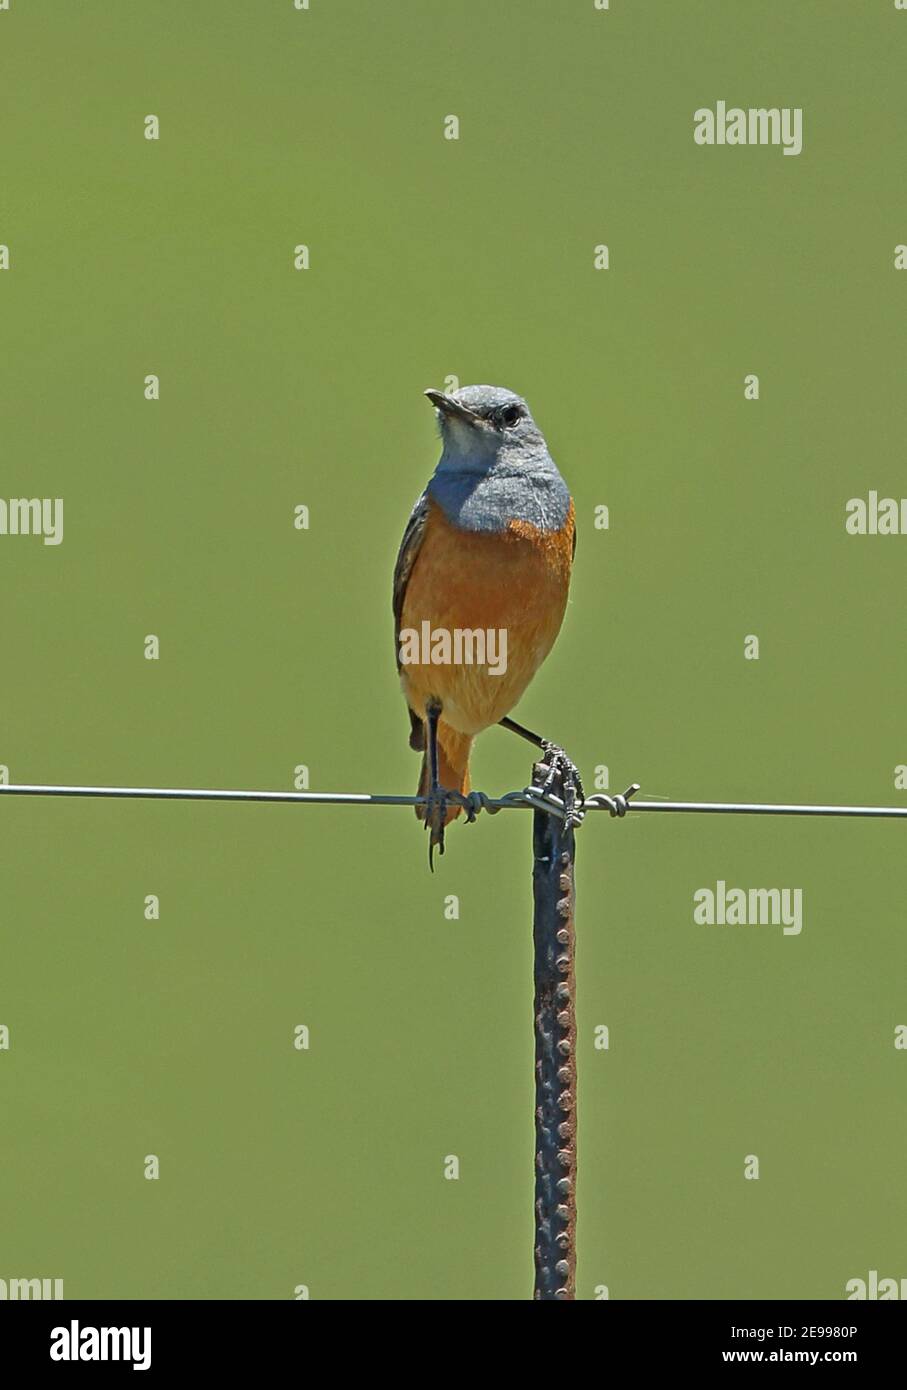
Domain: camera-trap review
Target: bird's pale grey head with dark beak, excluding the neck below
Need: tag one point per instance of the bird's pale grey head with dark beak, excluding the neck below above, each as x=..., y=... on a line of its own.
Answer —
x=481, y=426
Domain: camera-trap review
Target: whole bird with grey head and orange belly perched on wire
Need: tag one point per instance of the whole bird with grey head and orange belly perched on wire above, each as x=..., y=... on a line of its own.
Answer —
x=488, y=550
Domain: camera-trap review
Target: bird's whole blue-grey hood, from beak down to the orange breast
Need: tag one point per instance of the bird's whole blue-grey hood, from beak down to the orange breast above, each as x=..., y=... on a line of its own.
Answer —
x=495, y=465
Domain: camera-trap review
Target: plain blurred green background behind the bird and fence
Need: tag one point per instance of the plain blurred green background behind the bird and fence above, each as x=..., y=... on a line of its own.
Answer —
x=434, y=258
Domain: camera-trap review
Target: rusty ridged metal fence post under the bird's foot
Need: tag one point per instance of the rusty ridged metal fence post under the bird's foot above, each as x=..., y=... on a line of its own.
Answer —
x=555, y=1054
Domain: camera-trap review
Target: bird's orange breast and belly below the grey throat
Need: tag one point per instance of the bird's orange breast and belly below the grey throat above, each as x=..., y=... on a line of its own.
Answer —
x=513, y=582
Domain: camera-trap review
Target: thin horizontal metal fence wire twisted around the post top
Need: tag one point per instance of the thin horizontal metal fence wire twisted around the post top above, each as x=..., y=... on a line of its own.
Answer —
x=527, y=800
